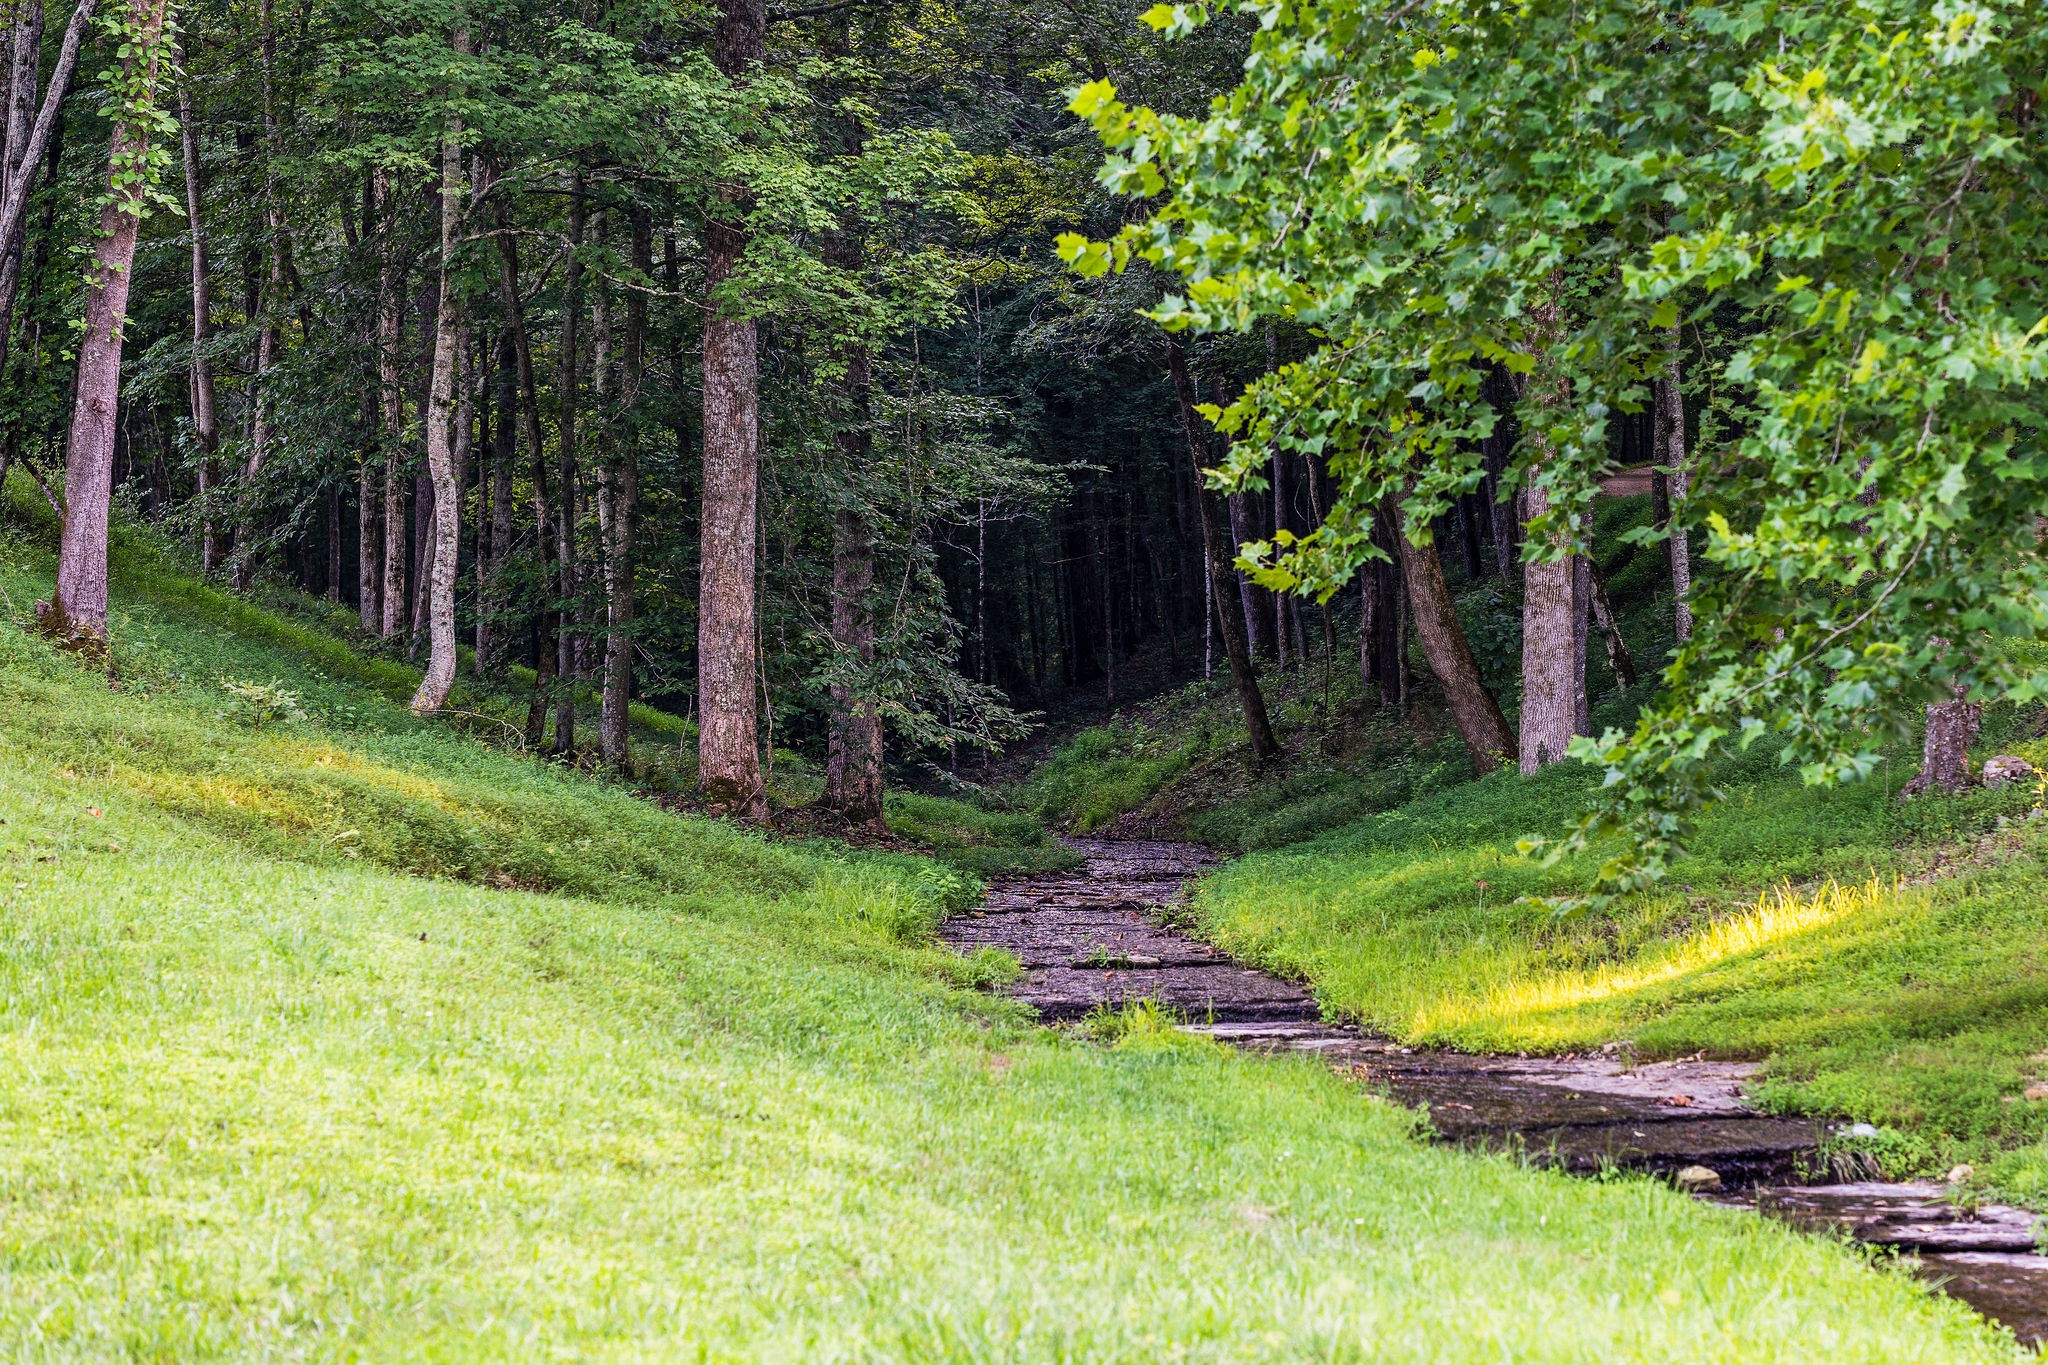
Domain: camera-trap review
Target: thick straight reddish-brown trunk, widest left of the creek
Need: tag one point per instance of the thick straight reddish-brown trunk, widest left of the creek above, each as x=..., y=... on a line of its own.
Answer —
x=728, y=748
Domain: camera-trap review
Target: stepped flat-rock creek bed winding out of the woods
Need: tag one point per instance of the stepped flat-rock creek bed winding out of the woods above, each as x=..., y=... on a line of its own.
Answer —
x=1101, y=938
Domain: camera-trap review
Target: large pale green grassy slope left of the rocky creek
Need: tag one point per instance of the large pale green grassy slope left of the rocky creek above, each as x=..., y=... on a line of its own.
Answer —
x=353, y=1039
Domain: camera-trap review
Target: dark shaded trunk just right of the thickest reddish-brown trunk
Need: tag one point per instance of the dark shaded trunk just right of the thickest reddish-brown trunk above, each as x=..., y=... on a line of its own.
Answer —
x=855, y=734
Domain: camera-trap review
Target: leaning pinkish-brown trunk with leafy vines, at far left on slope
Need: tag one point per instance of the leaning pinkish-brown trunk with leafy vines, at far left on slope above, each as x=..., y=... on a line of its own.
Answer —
x=77, y=611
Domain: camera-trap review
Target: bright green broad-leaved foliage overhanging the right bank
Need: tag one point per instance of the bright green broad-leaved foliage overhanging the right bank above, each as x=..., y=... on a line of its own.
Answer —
x=1881, y=488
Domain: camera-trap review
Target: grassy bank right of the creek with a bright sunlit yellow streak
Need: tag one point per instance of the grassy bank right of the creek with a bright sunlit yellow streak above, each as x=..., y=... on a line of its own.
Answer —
x=1889, y=961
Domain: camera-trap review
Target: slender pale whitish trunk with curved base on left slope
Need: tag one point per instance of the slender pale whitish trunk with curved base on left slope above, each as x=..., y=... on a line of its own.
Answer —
x=441, y=468
